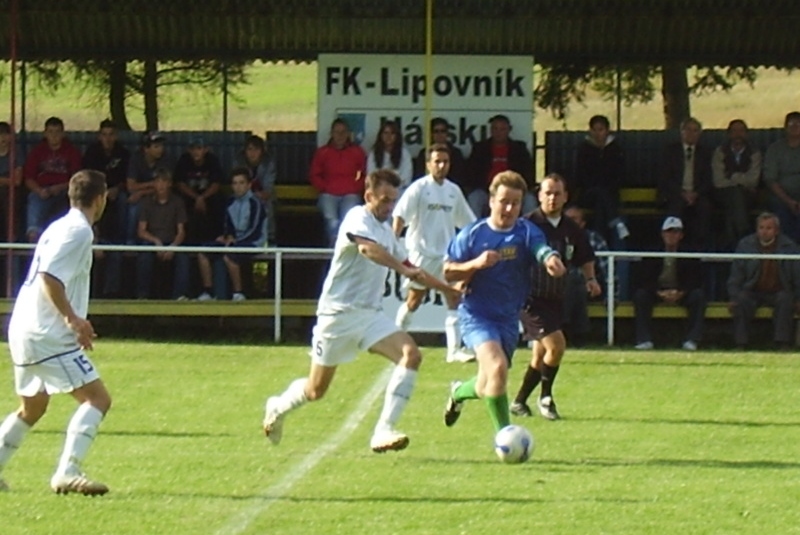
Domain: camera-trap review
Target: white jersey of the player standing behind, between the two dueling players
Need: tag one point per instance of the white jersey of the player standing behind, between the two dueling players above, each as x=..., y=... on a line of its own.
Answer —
x=432, y=212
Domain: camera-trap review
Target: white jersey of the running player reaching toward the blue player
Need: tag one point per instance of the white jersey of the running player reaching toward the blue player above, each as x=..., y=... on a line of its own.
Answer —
x=353, y=281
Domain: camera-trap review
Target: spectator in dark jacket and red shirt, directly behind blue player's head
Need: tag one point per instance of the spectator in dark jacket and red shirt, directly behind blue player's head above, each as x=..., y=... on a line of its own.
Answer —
x=492, y=156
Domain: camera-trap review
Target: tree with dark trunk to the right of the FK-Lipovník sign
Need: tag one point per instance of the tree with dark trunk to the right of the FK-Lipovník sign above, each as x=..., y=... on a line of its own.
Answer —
x=561, y=85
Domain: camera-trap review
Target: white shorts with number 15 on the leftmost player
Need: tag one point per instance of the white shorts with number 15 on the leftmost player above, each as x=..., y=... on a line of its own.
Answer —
x=56, y=375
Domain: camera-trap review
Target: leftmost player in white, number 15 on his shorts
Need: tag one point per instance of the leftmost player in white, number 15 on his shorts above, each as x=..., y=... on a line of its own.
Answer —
x=48, y=334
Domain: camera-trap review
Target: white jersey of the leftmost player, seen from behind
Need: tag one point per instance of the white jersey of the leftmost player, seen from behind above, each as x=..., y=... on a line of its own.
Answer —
x=37, y=330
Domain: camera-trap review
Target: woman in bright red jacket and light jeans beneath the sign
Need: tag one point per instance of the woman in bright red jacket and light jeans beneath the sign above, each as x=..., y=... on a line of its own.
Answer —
x=337, y=173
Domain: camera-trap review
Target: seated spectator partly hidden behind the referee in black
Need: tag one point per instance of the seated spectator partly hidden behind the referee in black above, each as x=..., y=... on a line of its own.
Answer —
x=576, y=299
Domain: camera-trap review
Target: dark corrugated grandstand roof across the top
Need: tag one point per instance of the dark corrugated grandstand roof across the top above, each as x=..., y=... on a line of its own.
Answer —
x=722, y=32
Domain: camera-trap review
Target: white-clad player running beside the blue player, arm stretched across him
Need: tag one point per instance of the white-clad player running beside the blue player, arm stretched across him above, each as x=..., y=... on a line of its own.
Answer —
x=349, y=317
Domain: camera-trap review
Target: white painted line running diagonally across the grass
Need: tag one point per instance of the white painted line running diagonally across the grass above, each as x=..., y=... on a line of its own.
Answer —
x=239, y=523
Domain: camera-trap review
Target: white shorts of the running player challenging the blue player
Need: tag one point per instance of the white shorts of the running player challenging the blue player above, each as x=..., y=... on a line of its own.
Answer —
x=338, y=338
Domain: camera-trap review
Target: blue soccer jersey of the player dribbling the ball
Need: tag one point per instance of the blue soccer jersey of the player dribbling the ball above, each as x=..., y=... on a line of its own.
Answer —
x=499, y=292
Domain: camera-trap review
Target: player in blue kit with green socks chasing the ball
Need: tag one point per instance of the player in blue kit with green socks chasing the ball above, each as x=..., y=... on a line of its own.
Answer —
x=494, y=257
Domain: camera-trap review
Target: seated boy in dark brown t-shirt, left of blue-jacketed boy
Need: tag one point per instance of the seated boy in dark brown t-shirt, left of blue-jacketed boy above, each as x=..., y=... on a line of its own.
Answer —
x=162, y=221
